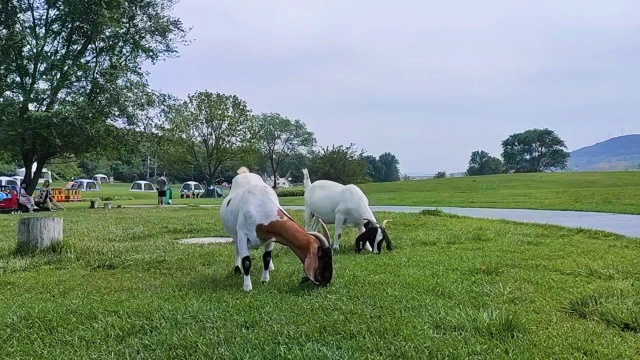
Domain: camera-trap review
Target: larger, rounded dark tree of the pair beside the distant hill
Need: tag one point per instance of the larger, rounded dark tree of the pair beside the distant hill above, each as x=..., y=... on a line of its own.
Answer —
x=534, y=150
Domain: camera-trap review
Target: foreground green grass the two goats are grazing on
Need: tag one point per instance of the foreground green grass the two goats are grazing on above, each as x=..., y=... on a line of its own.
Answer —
x=122, y=287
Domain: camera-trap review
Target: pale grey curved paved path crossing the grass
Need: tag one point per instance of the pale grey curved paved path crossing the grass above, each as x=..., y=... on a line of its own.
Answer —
x=623, y=224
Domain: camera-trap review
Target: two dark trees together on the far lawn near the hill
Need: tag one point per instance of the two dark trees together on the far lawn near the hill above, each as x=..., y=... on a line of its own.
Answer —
x=534, y=150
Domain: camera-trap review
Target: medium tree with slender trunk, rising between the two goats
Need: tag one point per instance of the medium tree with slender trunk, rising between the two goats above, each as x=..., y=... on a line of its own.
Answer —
x=280, y=137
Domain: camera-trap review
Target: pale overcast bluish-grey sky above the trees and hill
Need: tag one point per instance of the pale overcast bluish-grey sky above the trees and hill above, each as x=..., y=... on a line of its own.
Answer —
x=428, y=81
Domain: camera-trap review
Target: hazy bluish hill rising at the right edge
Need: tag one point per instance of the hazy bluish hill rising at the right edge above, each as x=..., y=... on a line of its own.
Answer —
x=619, y=153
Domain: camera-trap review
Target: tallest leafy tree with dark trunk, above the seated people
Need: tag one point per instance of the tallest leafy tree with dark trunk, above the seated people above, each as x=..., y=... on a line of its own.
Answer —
x=70, y=68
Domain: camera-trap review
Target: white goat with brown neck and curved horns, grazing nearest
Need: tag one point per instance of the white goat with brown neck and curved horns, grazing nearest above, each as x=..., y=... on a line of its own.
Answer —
x=251, y=214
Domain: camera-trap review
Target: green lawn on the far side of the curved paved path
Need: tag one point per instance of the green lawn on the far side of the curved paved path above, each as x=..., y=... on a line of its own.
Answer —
x=584, y=191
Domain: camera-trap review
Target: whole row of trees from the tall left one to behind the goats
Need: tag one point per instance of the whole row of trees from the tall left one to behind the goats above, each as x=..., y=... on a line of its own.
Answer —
x=74, y=97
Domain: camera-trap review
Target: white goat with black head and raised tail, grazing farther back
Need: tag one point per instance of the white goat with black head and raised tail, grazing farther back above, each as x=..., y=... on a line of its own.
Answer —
x=343, y=205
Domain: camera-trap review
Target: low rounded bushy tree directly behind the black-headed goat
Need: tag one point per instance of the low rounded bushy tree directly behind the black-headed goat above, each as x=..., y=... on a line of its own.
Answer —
x=342, y=164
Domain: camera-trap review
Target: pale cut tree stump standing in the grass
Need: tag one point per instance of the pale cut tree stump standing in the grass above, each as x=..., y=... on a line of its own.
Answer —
x=39, y=232
